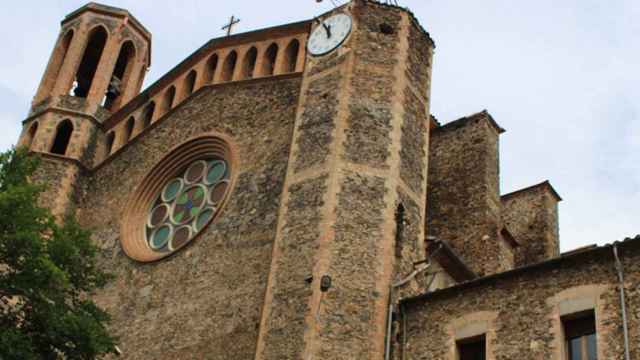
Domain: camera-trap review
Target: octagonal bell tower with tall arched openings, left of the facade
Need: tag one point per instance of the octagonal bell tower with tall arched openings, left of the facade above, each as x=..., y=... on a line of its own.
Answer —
x=97, y=65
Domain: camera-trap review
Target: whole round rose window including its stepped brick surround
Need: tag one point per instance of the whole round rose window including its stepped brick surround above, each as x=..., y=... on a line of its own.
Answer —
x=180, y=197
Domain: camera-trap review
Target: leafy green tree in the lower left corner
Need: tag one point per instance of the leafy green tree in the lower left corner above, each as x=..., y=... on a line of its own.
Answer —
x=46, y=272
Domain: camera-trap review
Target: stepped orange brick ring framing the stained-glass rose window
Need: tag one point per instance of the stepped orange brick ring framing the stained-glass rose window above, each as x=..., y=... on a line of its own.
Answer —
x=133, y=240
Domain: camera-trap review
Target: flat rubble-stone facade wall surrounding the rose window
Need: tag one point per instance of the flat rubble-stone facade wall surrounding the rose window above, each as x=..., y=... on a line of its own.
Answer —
x=205, y=301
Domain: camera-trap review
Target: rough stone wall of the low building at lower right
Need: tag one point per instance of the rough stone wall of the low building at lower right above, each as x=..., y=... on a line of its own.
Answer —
x=520, y=311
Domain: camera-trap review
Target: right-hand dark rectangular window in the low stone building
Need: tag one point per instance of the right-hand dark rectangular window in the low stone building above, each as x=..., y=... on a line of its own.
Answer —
x=580, y=336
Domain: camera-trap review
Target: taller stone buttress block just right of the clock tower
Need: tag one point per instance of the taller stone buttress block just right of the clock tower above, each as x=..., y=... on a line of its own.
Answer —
x=463, y=195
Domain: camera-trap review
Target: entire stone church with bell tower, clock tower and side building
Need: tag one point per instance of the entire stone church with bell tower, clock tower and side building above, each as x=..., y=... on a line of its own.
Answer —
x=286, y=194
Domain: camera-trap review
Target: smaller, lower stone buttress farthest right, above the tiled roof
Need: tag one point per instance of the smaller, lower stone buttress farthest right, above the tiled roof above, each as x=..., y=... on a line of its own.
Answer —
x=532, y=217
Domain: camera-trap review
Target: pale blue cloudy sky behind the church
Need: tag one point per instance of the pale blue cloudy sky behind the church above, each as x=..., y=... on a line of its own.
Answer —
x=560, y=76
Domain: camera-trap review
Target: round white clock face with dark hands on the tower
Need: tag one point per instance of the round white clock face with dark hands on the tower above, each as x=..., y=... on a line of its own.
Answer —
x=329, y=34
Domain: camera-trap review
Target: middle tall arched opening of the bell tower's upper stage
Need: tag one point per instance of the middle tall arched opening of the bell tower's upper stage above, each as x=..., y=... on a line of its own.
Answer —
x=89, y=64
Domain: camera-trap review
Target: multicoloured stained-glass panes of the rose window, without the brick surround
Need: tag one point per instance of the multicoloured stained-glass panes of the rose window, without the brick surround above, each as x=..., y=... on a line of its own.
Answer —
x=186, y=204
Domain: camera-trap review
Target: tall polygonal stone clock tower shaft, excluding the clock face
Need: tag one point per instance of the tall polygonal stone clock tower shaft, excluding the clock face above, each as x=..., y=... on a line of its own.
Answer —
x=360, y=147
